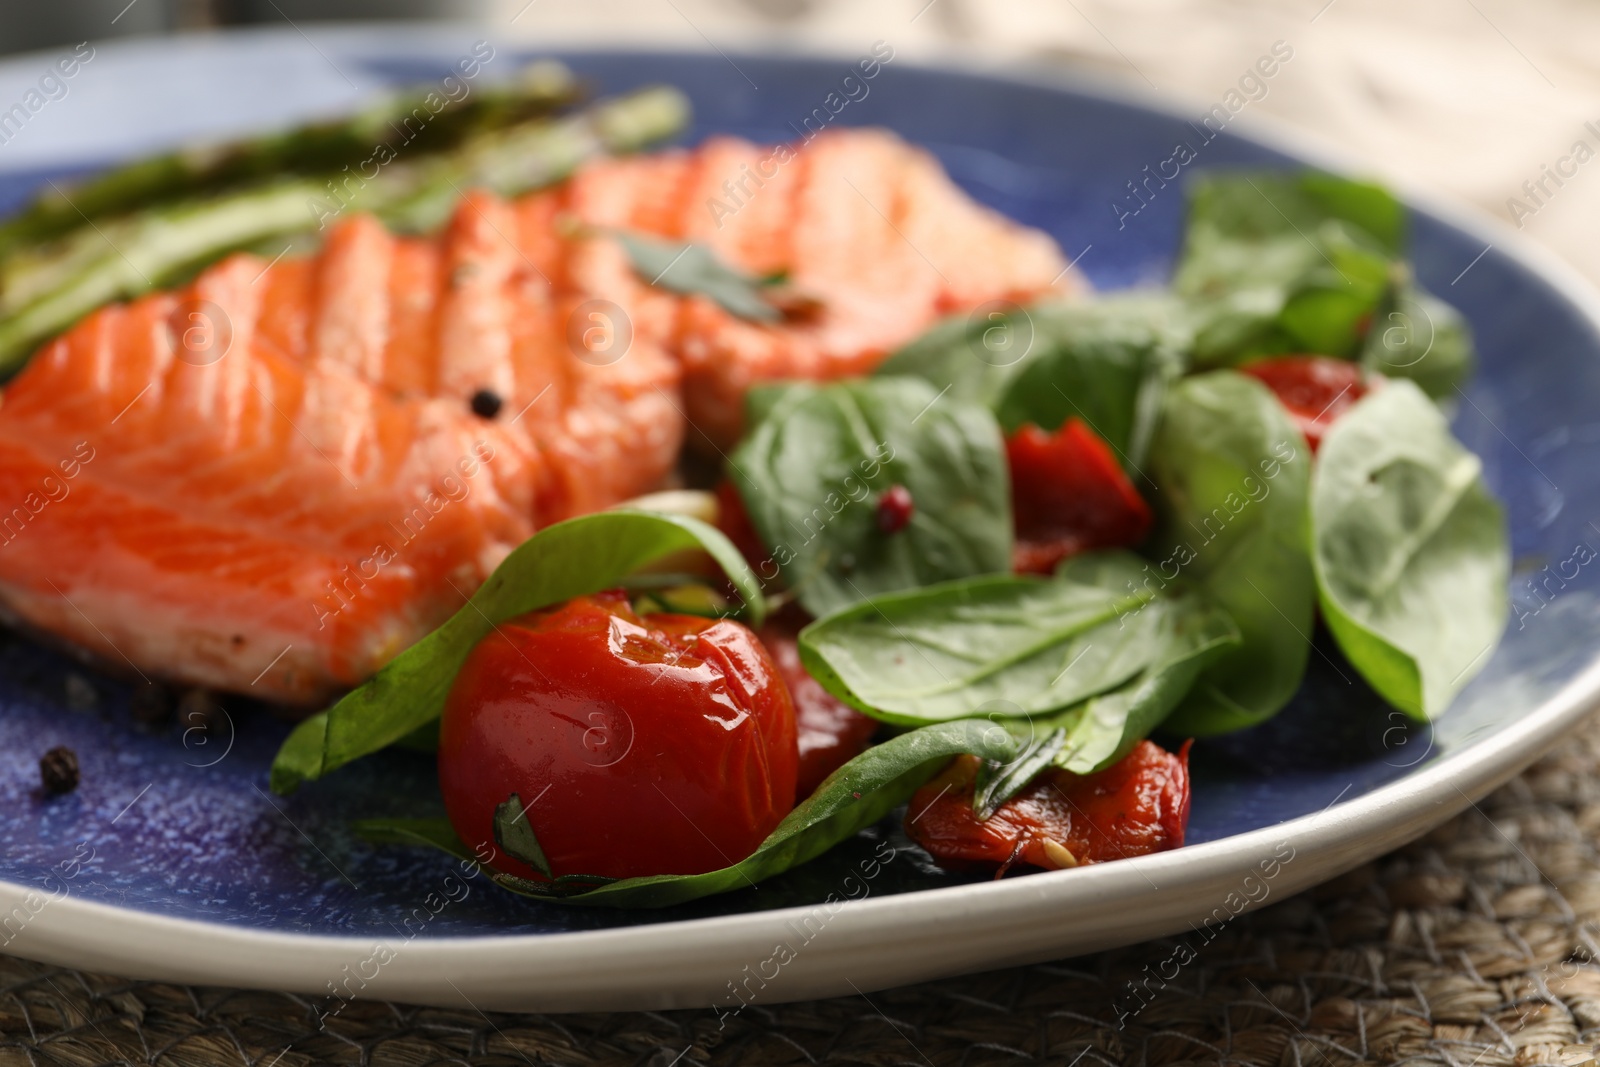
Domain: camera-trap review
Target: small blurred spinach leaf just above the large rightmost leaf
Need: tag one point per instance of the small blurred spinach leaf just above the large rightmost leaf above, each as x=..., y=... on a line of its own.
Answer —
x=1423, y=338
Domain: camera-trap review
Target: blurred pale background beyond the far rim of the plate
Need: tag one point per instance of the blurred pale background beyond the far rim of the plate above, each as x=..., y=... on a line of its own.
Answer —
x=1490, y=102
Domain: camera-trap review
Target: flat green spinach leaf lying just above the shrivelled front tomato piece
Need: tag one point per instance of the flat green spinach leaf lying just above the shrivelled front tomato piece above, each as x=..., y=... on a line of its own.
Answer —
x=1105, y=637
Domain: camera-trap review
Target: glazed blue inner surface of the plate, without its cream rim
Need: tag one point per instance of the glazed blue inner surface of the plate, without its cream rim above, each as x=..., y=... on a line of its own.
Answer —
x=180, y=823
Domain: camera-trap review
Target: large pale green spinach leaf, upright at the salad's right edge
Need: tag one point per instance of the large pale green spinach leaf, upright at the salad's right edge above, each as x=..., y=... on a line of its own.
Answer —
x=1412, y=553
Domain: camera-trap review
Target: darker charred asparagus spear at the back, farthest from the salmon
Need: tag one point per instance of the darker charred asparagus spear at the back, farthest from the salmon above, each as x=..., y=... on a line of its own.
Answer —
x=398, y=119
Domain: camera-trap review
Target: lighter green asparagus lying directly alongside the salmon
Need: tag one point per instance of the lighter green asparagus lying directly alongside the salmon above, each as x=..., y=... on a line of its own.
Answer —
x=124, y=258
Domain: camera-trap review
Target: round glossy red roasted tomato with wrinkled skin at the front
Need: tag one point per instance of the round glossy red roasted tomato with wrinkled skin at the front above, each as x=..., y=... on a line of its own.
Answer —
x=639, y=746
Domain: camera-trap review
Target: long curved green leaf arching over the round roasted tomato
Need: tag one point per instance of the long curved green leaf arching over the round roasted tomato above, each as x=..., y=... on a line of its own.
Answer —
x=582, y=556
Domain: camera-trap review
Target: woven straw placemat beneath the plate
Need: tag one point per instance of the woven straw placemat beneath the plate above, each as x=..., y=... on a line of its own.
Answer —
x=1473, y=948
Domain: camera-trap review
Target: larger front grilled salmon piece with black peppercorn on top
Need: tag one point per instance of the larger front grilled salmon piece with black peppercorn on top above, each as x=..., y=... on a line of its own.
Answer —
x=274, y=481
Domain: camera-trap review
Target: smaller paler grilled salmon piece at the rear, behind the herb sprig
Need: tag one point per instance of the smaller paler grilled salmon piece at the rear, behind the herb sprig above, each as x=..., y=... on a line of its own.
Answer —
x=868, y=226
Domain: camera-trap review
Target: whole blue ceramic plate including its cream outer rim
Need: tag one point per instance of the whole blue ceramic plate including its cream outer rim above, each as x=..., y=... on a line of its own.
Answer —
x=174, y=861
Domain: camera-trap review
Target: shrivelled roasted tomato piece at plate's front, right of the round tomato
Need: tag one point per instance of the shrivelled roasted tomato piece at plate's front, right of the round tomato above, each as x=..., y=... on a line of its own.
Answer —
x=1138, y=805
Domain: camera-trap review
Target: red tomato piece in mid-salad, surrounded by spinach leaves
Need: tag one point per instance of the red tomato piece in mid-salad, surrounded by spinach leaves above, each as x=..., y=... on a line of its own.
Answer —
x=1070, y=495
